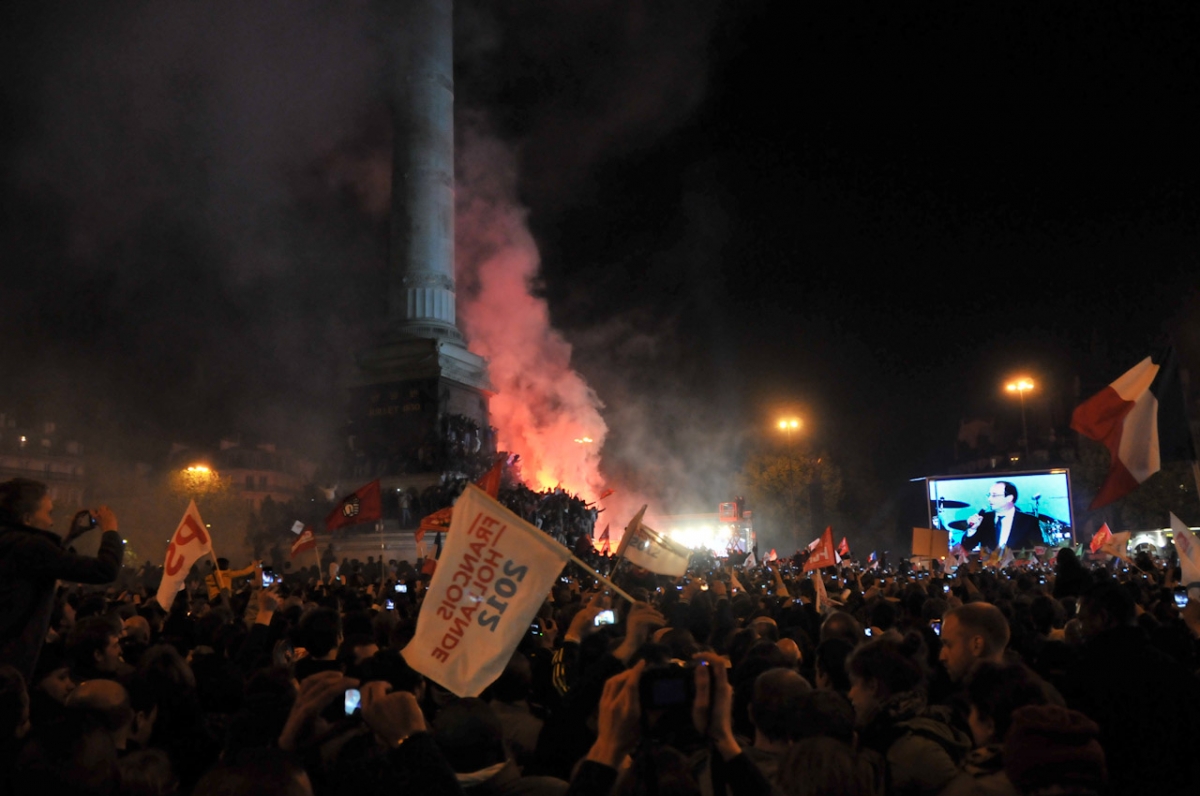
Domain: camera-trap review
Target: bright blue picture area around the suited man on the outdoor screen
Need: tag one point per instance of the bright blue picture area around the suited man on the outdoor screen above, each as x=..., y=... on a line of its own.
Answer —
x=956, y=500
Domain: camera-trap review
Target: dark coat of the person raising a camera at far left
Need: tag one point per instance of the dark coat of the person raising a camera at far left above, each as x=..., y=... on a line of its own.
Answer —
x=32, y=562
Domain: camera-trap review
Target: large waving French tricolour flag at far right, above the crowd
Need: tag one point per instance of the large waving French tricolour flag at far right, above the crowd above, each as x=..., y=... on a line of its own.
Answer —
x=1141, y=418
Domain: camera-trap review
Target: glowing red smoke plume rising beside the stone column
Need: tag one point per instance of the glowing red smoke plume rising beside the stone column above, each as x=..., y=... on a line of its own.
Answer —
x=542, y=409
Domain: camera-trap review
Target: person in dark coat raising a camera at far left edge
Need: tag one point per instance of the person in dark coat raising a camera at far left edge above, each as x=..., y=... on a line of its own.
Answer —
x=33, y=559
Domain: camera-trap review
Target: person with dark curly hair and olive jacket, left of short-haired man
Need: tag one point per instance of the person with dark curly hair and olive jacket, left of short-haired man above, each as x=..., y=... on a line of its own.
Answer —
x=920, y=746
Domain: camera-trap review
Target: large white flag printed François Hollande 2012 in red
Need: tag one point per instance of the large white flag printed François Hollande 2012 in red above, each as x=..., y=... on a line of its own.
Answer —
x=493, y=577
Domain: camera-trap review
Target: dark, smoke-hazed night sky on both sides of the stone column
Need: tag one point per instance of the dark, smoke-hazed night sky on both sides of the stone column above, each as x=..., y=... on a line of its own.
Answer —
x=866, y=214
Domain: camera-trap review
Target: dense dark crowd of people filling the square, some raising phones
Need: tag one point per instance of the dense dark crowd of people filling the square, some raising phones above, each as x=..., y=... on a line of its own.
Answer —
x=1069, y=679
